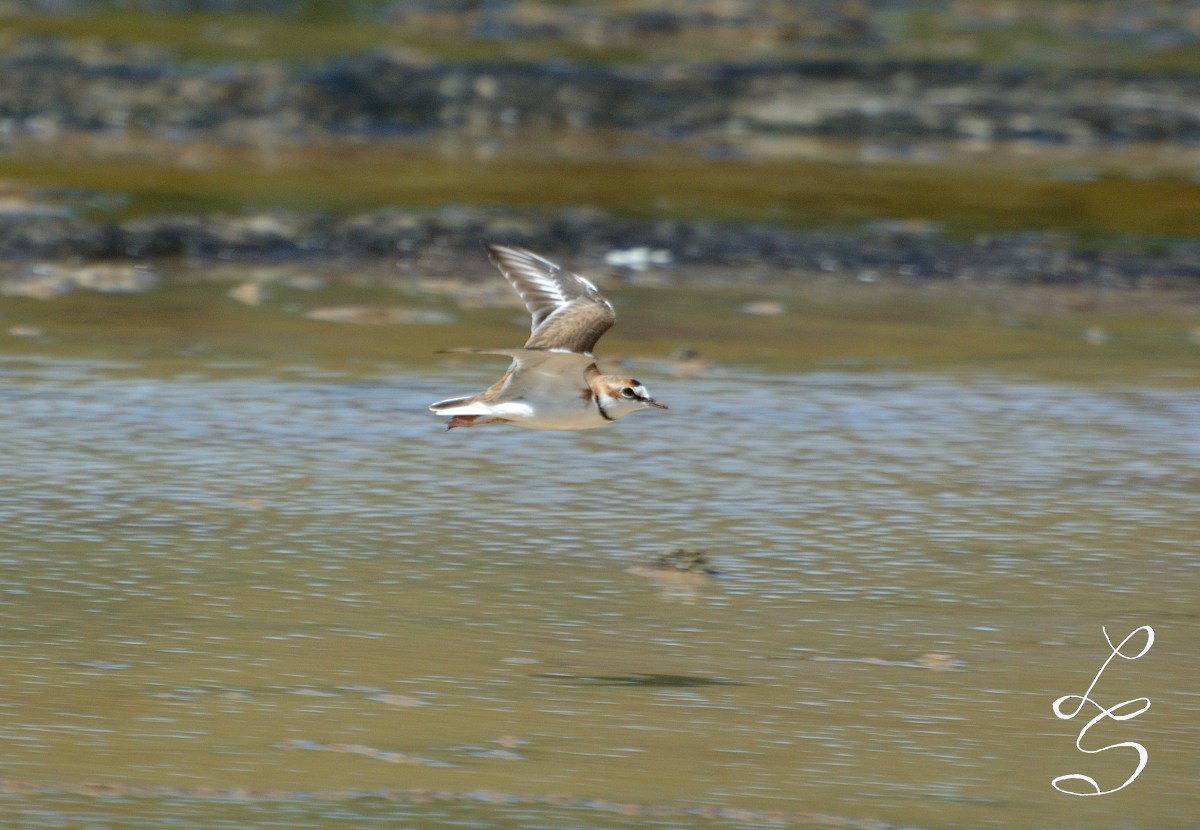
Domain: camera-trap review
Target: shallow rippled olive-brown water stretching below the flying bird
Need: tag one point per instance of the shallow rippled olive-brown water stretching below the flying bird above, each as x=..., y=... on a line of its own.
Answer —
x=250, y=586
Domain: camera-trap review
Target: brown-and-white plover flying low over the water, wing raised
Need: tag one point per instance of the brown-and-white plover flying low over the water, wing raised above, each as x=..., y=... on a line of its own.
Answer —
x=554, y=382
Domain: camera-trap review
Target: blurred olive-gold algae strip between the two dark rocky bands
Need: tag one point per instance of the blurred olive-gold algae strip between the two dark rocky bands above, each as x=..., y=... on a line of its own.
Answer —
x=959, y=196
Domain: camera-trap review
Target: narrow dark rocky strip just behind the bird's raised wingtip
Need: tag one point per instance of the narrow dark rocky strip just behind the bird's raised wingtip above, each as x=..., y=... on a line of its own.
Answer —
x=878, y=251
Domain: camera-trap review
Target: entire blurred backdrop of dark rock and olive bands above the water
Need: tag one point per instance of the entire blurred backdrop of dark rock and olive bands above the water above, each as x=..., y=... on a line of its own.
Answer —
x=935, y=146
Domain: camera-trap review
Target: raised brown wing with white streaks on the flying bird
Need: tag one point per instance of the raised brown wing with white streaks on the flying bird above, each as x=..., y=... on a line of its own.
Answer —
x=568, y=311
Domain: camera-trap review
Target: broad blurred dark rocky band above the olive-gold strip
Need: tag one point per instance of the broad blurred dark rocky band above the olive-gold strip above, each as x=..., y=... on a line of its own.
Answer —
x=47, y=86
